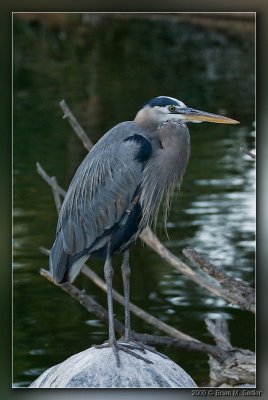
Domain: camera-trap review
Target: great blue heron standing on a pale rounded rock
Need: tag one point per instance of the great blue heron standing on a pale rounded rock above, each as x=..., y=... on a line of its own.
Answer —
x=116, y=192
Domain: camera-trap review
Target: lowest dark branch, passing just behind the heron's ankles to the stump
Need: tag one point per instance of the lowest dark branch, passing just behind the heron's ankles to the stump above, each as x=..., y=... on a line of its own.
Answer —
x=92, y=306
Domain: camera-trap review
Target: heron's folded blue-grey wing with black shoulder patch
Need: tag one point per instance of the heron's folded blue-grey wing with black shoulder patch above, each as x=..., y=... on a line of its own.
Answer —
x=103, y=187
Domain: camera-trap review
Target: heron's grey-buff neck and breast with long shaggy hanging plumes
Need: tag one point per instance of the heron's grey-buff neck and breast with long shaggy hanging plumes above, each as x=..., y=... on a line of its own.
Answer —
x=164, y=170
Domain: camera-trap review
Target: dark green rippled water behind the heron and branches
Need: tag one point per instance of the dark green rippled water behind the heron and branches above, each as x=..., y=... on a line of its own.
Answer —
x=106, y=71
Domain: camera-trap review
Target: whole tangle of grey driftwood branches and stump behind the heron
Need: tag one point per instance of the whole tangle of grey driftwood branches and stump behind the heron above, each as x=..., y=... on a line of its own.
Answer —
x=228, y=366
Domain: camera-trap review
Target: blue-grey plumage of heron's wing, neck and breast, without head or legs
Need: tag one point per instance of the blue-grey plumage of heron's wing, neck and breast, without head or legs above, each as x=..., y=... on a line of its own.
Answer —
x=104, y=185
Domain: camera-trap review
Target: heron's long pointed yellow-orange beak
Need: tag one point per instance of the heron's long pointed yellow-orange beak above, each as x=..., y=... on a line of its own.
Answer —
x=193, y=115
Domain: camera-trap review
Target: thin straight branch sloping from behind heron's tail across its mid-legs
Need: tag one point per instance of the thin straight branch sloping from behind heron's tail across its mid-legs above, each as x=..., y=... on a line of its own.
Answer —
x=139, y=312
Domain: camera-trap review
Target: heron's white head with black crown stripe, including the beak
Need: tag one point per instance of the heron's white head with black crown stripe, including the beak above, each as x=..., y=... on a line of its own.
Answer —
x=164, y=109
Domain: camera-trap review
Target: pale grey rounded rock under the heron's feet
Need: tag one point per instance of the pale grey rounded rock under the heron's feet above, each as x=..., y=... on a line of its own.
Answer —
x=96, y=368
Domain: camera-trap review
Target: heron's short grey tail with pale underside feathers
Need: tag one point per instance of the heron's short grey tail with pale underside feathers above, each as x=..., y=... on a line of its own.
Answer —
x=64, y=267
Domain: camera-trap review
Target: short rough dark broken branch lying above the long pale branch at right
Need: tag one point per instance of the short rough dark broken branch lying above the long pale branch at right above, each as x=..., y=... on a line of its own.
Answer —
x=241, y=288
